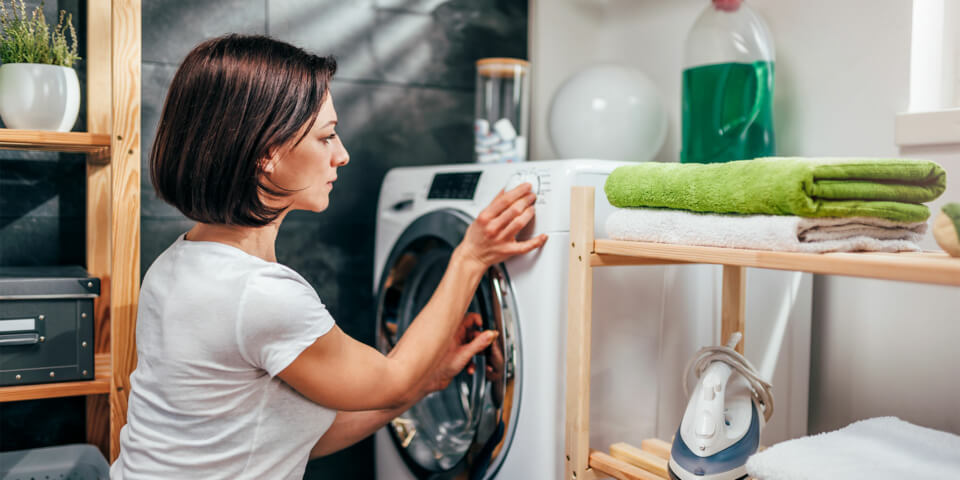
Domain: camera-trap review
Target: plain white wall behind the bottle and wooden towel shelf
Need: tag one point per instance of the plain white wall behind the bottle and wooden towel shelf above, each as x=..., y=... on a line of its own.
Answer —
x=842, y=73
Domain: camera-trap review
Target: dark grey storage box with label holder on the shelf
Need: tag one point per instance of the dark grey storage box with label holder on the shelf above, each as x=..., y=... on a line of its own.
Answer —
x=46, y=324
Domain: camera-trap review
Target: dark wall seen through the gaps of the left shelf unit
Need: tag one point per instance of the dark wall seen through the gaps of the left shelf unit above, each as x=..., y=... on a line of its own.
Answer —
x=42, y=198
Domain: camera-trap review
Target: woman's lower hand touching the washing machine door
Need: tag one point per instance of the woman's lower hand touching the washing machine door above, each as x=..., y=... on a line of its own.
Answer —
x=466, y=343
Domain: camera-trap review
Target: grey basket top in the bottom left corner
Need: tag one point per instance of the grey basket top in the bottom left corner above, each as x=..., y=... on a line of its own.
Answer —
x=67, y=462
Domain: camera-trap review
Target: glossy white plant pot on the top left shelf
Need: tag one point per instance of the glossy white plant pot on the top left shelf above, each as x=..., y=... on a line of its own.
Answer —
x=39, y=97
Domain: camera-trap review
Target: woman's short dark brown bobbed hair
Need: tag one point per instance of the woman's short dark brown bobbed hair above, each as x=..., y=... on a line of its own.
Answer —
x=235, y=101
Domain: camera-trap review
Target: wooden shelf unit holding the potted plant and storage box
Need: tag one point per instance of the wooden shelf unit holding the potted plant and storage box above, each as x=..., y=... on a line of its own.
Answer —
x=112, y=215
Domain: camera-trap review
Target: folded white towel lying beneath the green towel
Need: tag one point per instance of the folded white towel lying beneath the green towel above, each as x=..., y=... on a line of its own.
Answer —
x=764, y=232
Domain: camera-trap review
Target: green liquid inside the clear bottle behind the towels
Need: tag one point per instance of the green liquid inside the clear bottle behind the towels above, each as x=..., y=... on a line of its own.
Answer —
x=727, y=112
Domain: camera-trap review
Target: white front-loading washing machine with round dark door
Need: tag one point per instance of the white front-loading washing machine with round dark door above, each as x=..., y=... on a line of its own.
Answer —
x=507, y=422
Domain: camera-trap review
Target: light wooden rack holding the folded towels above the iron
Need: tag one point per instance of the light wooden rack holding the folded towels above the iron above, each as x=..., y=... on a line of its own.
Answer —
x=586, y=253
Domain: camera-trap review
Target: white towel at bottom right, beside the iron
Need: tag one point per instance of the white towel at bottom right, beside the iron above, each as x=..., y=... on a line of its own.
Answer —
x=876, y=449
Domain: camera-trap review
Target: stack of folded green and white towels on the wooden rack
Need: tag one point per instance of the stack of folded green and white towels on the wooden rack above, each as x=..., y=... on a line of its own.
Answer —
x=790, y=204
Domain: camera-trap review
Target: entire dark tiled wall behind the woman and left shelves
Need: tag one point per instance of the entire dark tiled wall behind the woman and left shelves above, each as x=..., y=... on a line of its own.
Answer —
x=404, y=94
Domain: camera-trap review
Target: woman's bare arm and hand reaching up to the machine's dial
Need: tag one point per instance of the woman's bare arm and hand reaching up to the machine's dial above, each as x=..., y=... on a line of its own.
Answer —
x=344, y=374
